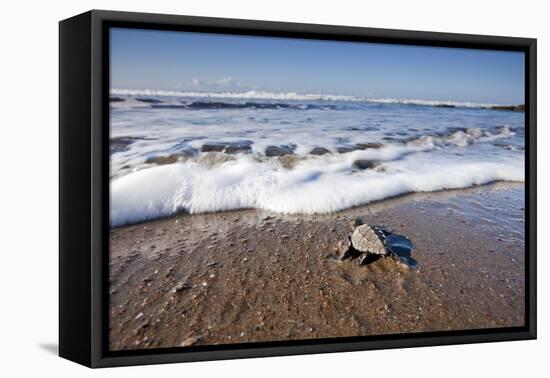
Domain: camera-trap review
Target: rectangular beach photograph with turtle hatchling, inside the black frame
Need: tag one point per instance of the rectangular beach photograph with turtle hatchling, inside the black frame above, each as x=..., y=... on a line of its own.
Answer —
x=267, y=189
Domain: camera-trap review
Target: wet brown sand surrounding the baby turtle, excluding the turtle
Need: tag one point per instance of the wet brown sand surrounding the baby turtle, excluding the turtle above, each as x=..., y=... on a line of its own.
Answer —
x=253, y=276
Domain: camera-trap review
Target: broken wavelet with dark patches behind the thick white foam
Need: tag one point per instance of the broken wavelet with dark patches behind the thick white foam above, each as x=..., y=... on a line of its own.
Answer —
x=156, y=152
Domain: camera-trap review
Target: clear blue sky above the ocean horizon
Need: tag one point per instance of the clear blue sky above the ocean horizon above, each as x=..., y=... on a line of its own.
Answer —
x=146, y=59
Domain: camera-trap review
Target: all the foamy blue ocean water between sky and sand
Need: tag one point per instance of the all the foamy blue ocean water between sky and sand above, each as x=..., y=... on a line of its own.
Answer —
x=176, y=152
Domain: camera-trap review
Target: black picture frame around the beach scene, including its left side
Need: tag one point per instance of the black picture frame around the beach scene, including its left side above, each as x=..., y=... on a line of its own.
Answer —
x=84, y=187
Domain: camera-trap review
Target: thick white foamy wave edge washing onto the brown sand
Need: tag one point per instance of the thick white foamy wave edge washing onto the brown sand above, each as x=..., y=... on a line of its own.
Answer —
x=318, y=185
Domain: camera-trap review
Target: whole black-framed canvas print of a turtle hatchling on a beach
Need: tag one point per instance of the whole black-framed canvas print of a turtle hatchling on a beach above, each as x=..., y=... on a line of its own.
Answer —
x=233, y=188
